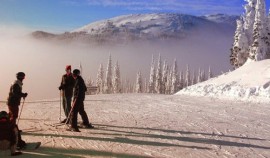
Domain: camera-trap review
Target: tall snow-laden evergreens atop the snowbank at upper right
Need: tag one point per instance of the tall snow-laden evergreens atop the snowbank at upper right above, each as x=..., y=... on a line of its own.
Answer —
x=252, y=36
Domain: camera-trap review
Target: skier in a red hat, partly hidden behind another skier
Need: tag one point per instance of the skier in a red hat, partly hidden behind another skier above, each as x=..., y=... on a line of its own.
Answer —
x=67, y=84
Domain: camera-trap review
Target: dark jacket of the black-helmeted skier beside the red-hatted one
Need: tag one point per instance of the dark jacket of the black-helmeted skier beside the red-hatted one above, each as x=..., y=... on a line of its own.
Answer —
x=79, y=89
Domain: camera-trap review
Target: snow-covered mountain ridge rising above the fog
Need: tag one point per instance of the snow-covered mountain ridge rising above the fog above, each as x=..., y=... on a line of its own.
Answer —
x=146, y=26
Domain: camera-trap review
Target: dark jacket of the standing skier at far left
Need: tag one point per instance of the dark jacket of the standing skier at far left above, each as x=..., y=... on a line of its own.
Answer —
x=15, y=94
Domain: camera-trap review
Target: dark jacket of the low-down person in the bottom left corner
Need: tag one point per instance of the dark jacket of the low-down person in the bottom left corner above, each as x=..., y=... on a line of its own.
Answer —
x=7, y=131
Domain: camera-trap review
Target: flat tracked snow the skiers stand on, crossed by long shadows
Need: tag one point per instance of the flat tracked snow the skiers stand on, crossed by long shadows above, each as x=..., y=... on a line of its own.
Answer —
x=144, y=125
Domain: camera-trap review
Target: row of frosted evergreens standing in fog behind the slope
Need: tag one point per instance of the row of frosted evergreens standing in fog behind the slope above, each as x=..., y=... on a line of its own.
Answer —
x=163, y=79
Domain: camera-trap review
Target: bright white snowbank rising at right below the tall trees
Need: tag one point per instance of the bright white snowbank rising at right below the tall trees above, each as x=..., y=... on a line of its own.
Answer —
x=250, y=82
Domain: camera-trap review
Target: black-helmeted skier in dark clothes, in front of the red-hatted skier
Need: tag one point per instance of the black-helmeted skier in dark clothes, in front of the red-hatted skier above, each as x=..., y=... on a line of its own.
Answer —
x=78, y=105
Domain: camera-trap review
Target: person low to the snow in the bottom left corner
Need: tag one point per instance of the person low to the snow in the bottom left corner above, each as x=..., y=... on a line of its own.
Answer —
x=9, y=134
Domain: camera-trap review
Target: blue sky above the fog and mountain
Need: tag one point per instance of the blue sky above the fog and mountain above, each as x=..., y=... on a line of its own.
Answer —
x=65, y=15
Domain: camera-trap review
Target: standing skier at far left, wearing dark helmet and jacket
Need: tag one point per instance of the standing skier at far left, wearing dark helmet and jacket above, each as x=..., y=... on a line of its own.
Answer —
x=14, y=98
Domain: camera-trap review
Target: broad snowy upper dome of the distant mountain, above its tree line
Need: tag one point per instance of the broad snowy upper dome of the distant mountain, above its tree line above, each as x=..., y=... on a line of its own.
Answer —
x=141, y=24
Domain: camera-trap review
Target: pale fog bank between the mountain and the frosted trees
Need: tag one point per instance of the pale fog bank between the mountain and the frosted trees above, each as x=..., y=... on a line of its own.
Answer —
x=44, y=62
